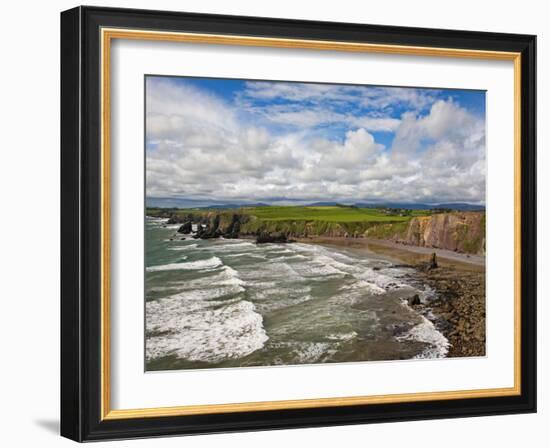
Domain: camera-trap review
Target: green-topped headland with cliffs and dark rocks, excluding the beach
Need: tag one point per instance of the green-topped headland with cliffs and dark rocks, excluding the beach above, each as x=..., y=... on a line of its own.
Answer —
x=455, y=231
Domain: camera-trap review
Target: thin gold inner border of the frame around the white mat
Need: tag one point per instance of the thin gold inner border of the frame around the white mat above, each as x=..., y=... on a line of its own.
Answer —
x=107, y=35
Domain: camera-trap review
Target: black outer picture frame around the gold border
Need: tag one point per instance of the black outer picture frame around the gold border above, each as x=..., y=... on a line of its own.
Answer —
x=81, y=224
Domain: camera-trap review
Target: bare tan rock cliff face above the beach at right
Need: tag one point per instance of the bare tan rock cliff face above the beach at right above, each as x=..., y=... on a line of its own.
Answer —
x=459, y=231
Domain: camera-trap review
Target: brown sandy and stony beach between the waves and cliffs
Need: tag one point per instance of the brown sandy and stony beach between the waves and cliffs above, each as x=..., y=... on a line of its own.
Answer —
x=458, y=308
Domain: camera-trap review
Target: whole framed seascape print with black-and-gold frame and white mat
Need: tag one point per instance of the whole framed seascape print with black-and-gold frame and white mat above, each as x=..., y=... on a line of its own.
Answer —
x=274, y=223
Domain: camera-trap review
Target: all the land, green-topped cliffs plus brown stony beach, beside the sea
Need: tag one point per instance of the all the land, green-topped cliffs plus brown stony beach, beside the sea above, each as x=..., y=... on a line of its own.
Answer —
x=446, y=248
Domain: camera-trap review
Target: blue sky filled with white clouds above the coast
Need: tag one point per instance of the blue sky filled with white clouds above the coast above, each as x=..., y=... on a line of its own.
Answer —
x=240, y=140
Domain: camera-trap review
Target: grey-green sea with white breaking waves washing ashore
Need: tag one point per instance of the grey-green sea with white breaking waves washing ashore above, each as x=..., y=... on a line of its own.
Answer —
x=233, y=303
